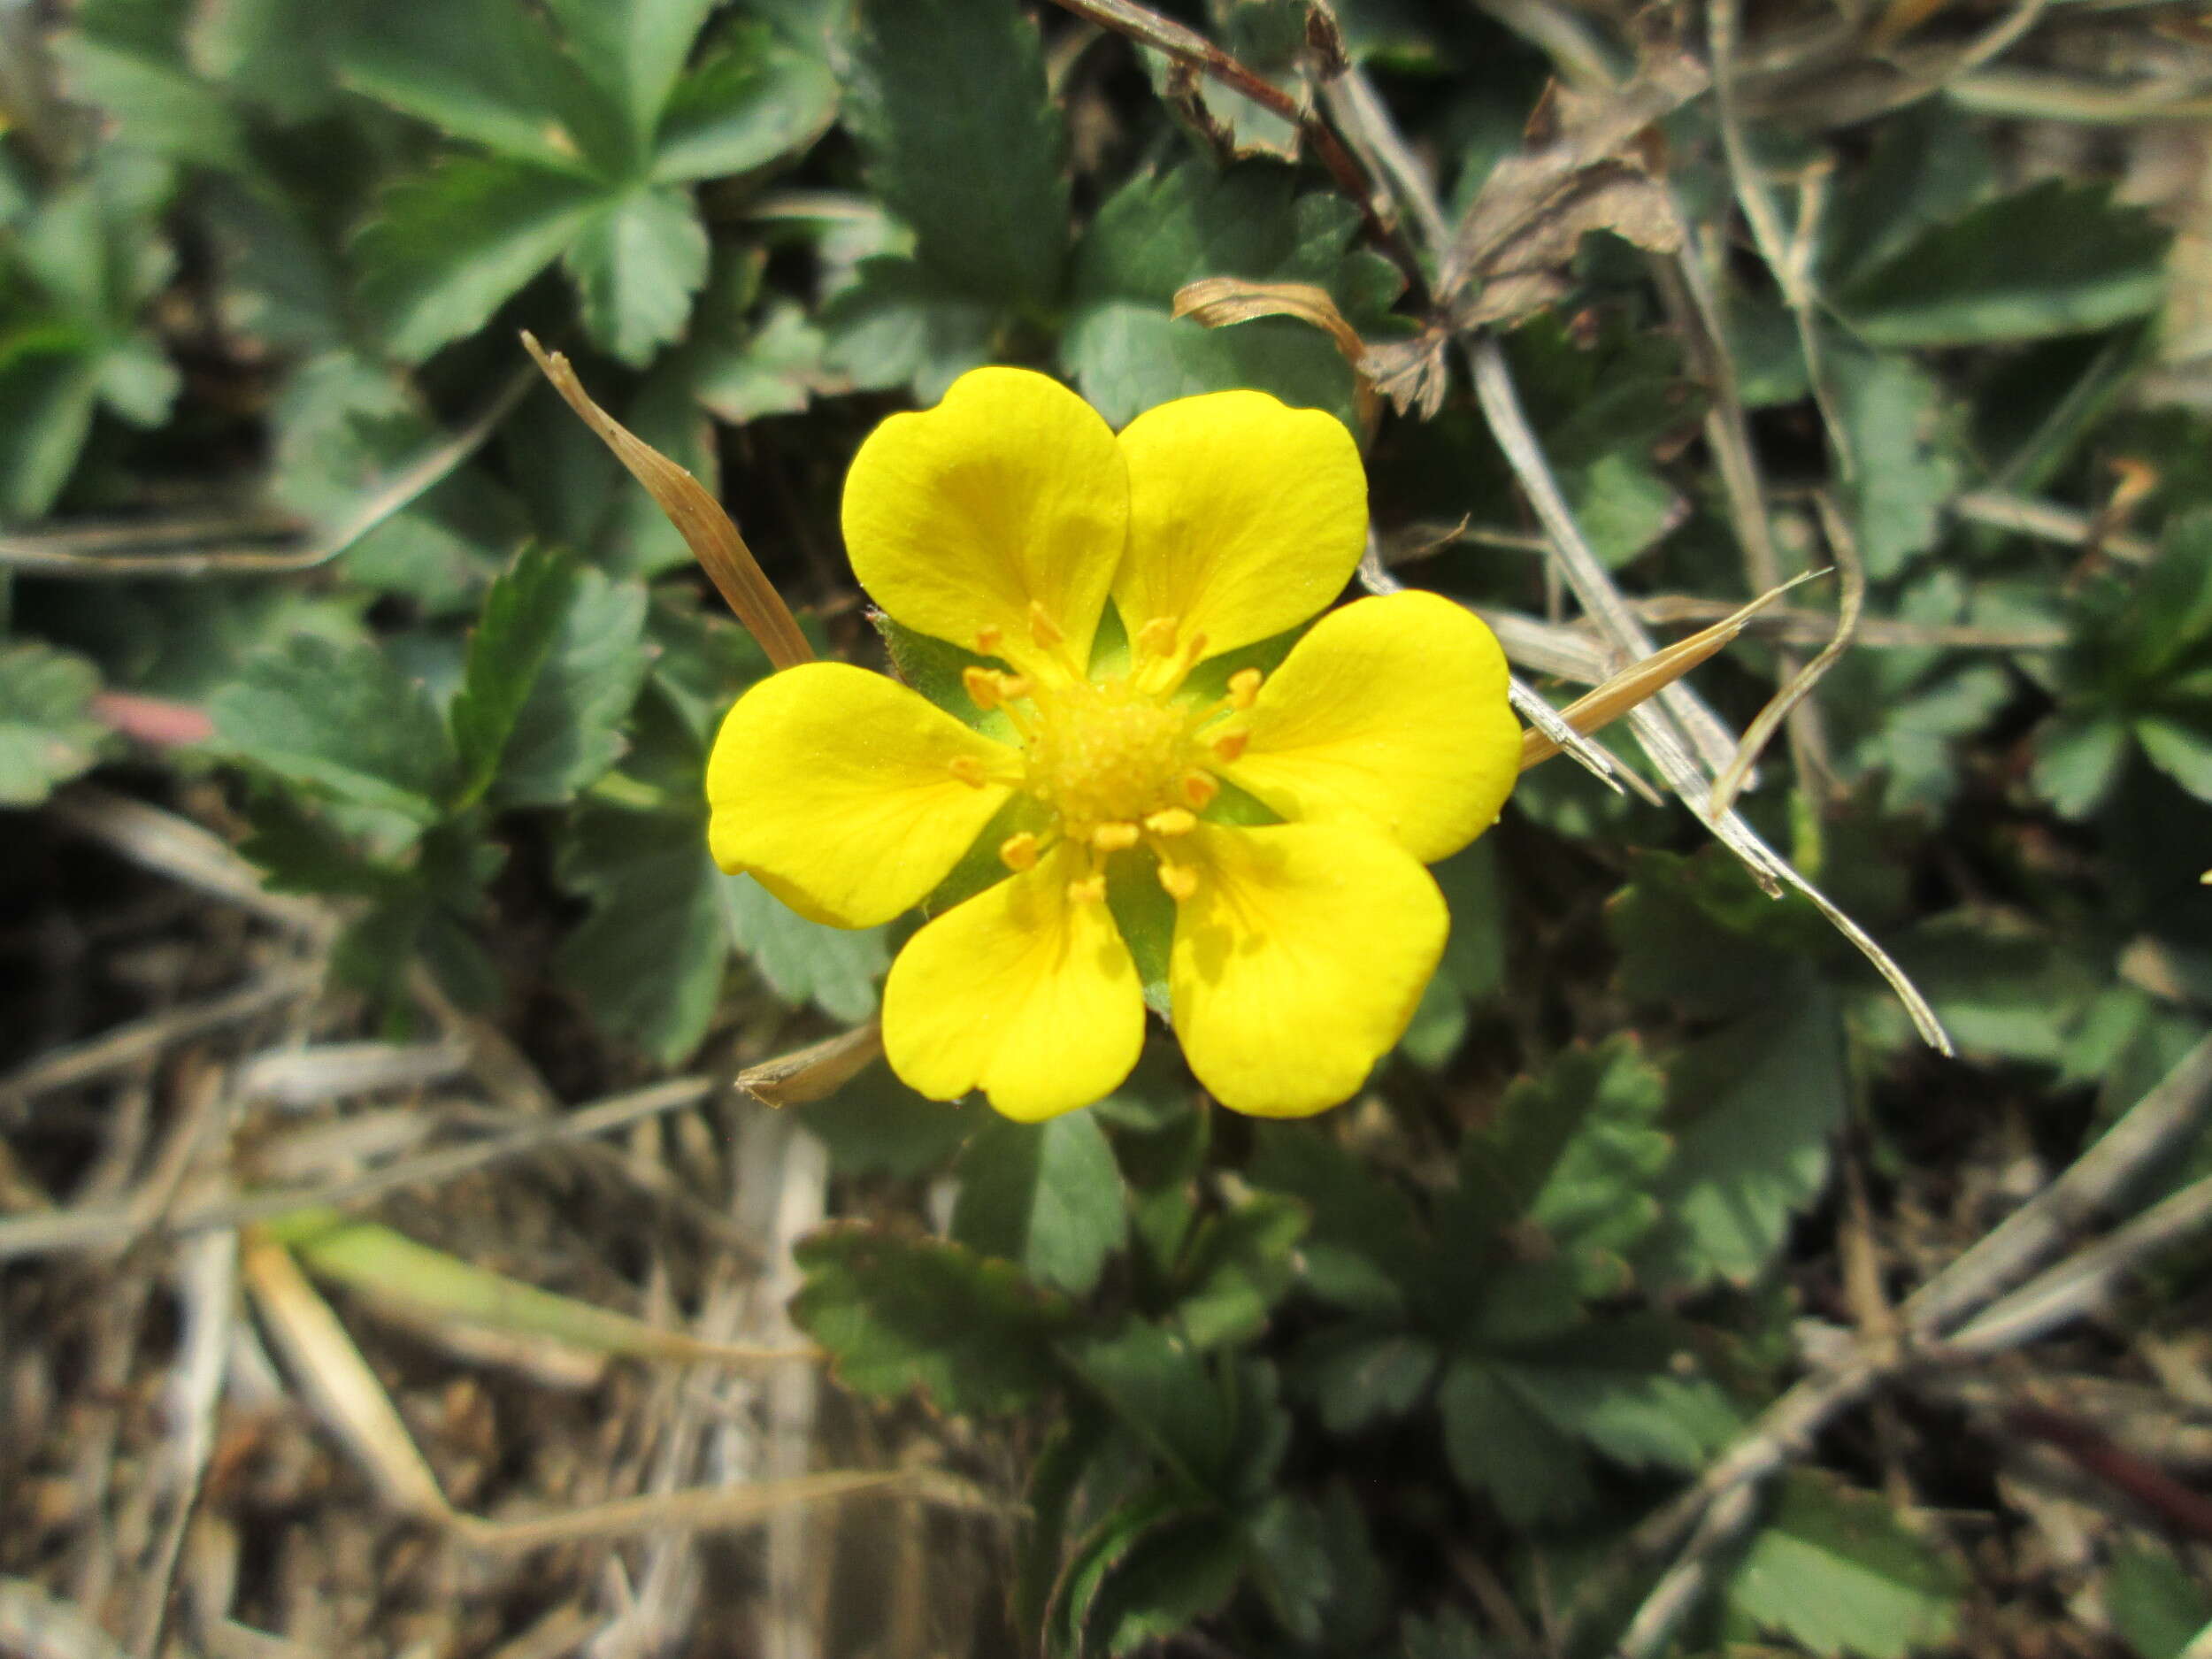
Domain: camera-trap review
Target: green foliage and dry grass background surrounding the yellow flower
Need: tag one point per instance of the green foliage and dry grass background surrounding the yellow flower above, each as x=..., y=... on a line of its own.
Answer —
x=1636, y=1306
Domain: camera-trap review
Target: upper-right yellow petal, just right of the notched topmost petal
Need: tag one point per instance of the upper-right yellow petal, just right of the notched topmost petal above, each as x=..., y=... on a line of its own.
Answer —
x=1246, y=517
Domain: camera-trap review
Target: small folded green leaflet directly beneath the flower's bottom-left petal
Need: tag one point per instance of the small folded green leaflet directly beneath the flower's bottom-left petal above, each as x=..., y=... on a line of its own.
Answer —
x=1043, y=1196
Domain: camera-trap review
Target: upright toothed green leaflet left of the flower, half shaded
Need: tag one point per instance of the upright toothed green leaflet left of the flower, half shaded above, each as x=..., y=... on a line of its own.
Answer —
x=570, y=729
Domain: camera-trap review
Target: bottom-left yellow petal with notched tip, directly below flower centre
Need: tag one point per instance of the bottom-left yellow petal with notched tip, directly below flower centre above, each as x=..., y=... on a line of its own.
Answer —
x=1023, y=992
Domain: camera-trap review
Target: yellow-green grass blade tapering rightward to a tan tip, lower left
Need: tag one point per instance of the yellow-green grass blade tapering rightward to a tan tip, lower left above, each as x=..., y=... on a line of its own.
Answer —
x=437, y=1286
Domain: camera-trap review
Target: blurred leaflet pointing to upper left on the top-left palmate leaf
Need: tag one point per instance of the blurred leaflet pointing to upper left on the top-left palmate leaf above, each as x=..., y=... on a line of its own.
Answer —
x=488, y=72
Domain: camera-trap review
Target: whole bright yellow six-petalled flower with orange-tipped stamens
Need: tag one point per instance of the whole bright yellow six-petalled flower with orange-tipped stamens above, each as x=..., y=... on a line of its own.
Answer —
x=1098, y=574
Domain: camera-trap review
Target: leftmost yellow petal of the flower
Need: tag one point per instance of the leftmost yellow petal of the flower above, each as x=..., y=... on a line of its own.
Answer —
x=837, y=789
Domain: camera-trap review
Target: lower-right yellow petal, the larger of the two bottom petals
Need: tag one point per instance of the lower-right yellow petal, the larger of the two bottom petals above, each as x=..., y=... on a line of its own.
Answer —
x=1300, y=961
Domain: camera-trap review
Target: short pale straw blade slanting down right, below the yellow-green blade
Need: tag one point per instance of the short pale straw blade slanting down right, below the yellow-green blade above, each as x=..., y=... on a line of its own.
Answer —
x=342, y=1386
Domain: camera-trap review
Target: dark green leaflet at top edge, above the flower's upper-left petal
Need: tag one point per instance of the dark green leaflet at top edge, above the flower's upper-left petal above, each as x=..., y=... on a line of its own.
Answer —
x=963, y=143
